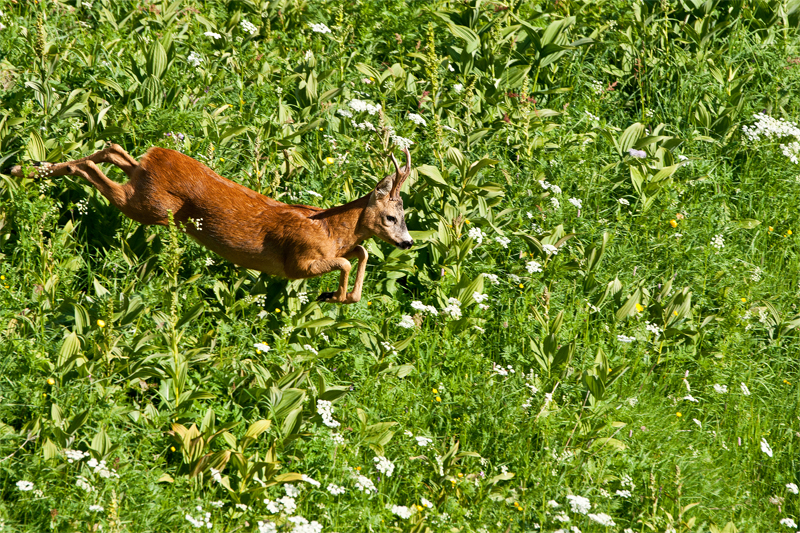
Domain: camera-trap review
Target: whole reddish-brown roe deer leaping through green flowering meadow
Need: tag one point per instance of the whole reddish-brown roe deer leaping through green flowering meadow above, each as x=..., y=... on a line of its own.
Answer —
x=243, y=226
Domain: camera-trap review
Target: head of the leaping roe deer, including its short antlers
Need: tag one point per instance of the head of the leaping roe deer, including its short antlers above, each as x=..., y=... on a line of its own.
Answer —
x=384, y=216
